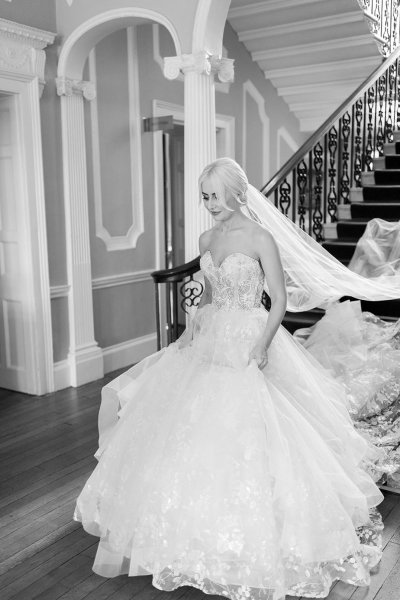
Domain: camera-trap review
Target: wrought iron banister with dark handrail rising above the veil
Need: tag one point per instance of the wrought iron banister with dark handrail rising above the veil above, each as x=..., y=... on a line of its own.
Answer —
x=319, y=176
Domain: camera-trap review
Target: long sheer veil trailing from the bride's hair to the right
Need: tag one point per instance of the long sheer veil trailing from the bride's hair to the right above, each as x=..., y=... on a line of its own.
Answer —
x=313, y=276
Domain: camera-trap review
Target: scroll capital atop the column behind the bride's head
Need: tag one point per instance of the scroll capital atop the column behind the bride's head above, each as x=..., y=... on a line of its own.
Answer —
x=200, y=62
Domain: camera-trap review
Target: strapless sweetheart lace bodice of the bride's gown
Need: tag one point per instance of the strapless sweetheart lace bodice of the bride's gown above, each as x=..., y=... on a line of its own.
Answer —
x=236, y=283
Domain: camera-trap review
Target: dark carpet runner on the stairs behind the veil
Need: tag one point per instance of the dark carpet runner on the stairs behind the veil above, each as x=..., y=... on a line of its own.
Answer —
x=379, y=196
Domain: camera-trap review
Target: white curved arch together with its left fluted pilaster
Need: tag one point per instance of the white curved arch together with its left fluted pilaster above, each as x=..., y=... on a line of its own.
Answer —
x=85, y=358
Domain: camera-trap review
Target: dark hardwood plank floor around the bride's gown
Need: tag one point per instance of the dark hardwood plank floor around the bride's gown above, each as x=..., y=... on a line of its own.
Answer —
x=46, y=451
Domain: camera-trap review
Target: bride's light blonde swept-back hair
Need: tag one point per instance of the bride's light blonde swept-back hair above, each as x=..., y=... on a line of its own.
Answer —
x=225, y=175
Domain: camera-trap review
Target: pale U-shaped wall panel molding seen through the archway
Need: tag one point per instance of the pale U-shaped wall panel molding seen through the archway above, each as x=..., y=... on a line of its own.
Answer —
x=129, y=240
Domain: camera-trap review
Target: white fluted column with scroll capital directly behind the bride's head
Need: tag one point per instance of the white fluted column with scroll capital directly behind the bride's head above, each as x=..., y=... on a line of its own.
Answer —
x=200, y=131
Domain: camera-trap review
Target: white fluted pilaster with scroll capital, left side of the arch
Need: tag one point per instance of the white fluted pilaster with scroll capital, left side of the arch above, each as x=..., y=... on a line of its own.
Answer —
x=85, y=357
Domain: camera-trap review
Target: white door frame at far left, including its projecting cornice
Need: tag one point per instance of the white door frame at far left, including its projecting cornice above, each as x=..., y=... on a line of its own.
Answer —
x=22, y=75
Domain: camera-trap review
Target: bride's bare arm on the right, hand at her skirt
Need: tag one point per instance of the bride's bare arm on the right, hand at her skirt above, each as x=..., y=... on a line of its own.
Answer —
x=273, y=271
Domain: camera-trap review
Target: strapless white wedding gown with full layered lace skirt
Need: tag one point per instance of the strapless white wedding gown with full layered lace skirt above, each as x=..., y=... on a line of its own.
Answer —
x=217, y=475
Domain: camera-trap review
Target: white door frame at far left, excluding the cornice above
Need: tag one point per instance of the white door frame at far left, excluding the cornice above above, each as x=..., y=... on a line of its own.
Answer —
x=38, y=329
